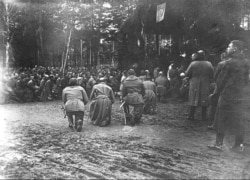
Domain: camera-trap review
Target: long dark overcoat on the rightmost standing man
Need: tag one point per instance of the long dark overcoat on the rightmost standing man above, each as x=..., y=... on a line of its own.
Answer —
x=233, y=95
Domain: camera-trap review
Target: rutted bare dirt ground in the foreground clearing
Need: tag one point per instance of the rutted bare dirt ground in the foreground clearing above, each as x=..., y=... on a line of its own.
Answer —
x=35, y=142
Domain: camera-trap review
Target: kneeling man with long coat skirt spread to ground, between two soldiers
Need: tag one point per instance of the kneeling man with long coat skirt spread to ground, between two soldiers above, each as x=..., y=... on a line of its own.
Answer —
x=103, y=97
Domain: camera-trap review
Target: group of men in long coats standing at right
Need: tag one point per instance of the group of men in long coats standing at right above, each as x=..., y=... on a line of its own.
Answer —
x=224, y=90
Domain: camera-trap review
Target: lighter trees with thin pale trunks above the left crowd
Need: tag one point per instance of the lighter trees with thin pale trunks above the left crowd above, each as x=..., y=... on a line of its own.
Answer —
x=50, y=32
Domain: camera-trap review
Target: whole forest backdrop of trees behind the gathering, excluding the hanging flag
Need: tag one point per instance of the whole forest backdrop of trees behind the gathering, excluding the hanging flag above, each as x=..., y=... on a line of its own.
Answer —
x=118, y=32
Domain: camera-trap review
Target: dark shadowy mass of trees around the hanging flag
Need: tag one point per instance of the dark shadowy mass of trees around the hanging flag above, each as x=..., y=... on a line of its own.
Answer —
x=188, y=25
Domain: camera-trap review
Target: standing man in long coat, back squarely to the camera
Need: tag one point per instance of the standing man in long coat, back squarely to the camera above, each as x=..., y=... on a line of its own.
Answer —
x=200, y=72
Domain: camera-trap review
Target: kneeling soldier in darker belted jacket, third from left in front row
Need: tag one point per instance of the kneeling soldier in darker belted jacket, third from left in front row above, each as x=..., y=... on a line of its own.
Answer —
x=133, y=92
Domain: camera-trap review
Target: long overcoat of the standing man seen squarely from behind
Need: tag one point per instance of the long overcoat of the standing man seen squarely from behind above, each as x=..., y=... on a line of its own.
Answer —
x=200, y=74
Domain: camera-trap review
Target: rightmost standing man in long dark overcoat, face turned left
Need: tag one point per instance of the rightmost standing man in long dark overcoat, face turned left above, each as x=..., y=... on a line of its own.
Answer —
x=230, y=90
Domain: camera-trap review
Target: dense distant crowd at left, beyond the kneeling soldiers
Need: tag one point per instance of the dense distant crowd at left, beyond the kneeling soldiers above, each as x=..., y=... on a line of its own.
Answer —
x=46, y=83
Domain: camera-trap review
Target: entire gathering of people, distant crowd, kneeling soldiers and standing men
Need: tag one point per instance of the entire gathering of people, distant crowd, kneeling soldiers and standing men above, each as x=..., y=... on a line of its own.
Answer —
x=217, y=89
